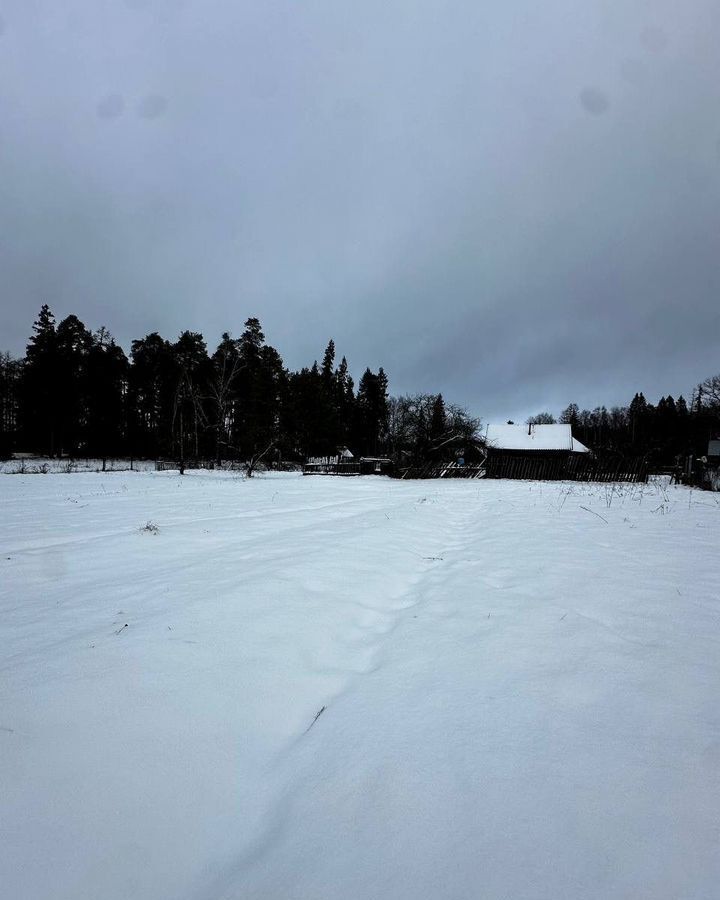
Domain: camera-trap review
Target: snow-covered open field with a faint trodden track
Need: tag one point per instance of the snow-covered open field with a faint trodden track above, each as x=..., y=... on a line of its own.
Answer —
x=520, y=686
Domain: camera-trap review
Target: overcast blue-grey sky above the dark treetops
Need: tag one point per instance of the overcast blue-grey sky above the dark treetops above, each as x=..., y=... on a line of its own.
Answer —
x=515, y=203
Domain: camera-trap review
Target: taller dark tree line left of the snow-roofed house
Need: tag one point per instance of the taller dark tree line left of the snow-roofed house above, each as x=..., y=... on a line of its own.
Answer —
x=77, y=393
